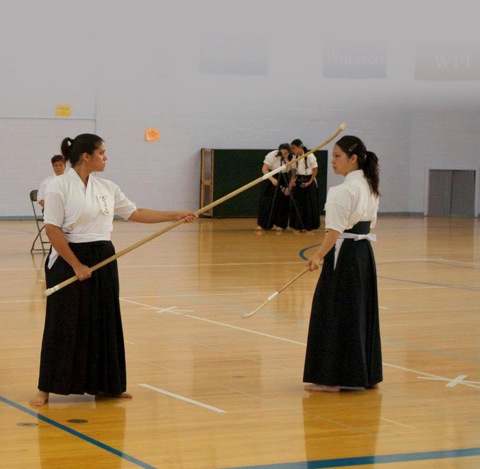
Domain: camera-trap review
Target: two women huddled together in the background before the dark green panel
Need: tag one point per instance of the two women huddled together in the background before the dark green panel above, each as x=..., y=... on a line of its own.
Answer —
x=290, y=197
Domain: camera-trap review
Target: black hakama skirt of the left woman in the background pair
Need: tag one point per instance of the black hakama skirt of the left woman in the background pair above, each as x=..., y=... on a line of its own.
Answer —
x=273, y=204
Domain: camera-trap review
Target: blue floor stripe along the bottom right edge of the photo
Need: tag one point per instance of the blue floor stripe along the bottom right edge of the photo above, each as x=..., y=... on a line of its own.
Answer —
x=363, y=460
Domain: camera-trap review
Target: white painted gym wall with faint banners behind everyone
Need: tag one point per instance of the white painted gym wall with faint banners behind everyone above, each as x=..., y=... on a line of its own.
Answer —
x=236, y=74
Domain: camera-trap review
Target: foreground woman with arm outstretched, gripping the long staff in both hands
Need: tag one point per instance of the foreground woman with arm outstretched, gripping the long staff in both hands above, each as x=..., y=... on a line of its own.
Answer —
x=83, y=346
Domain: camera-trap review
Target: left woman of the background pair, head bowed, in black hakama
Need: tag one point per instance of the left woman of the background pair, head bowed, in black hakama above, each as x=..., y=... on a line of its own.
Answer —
x=274, y=200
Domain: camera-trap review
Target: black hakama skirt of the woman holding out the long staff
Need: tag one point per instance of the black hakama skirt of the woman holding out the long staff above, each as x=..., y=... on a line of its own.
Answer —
x=83, y=347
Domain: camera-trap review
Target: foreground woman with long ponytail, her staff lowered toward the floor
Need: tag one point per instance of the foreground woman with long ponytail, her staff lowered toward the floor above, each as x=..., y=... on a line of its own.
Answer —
x=344, y=347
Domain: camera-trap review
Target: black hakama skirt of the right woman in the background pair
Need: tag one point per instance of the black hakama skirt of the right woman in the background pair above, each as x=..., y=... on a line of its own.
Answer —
x=304, y=212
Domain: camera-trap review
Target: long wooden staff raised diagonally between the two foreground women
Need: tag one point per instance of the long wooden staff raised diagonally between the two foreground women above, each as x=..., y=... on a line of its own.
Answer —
x=63, y=284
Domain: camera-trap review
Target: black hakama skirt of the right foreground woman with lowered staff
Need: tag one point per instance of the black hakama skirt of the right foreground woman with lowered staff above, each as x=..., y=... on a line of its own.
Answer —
x=343, y=347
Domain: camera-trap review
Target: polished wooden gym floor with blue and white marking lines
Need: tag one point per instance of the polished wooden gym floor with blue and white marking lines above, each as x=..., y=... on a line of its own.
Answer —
x=215, y=391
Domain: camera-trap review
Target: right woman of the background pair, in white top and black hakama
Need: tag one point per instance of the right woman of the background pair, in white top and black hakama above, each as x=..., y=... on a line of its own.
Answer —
x=304, y=212
